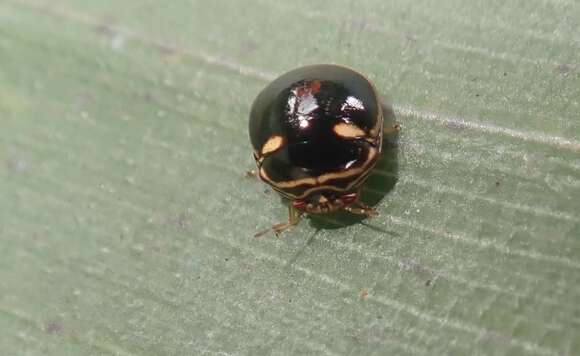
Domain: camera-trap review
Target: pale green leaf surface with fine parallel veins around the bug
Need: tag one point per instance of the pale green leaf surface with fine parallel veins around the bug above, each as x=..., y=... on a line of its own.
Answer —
x=126, y=222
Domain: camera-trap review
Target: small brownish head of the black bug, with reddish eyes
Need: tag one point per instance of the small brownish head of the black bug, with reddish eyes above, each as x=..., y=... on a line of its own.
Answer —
x=324, y=202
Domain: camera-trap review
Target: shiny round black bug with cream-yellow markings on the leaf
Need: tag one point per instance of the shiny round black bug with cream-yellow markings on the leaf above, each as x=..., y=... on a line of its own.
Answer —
x=316, y=133
